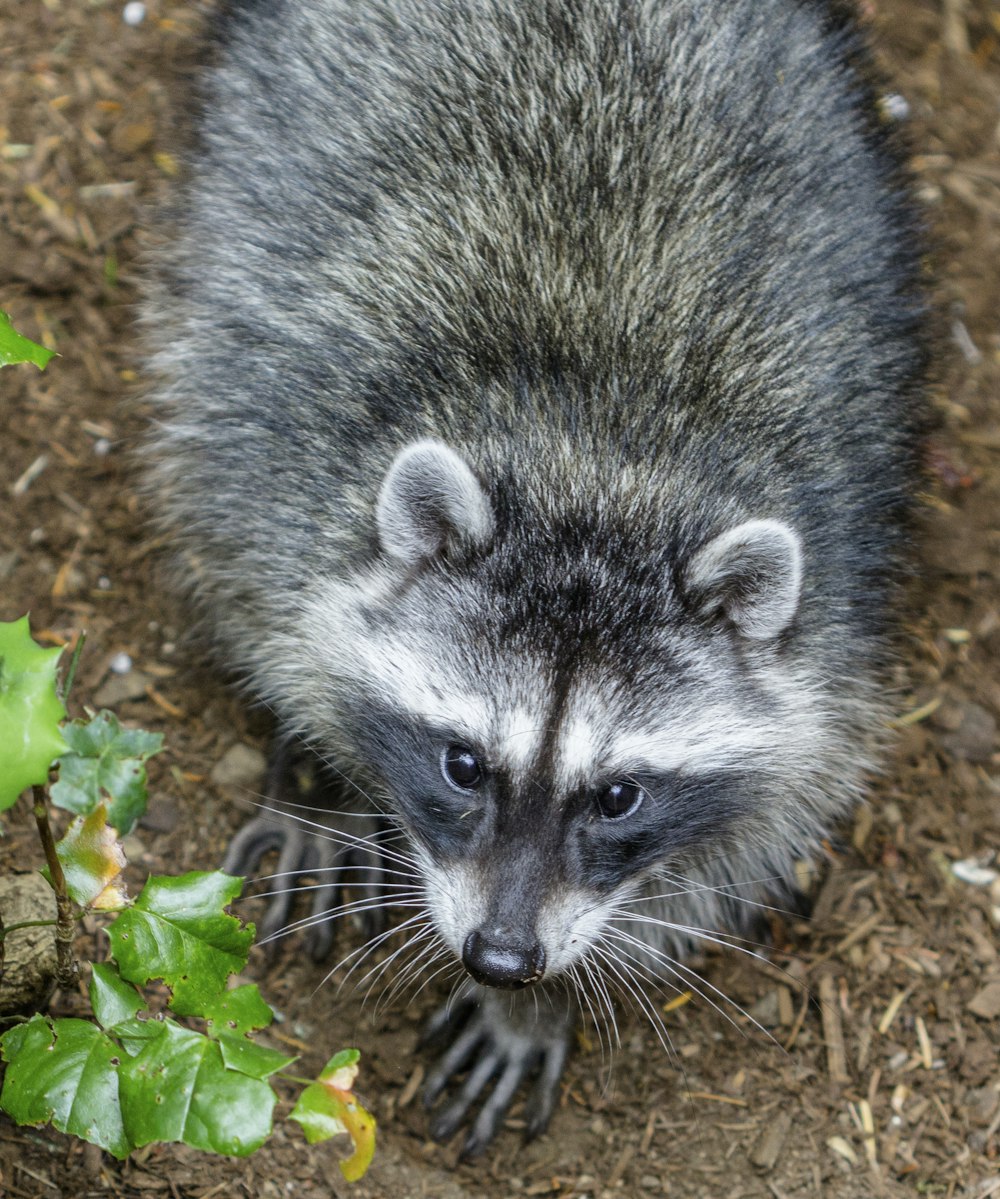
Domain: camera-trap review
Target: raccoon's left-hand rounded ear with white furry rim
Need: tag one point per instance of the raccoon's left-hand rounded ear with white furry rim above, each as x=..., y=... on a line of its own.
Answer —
x=430, y=499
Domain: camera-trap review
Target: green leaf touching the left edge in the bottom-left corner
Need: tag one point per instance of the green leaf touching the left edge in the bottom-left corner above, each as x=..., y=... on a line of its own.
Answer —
x=65, y=1073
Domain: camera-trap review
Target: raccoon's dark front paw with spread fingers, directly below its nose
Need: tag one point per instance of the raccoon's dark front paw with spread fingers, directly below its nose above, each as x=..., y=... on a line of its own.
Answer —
x=507, y=1039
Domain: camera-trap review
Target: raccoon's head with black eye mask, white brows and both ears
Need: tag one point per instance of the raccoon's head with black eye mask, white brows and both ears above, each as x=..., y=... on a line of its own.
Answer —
x=558, y=712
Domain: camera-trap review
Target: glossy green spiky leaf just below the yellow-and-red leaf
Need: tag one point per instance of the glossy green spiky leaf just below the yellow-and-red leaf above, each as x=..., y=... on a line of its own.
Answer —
x=178, y=932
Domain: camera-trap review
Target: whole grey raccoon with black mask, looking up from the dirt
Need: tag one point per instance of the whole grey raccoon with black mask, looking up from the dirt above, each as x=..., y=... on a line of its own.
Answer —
x=540, y=408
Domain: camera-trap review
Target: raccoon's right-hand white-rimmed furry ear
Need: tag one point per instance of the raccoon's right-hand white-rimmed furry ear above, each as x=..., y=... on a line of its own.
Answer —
x=754, y=574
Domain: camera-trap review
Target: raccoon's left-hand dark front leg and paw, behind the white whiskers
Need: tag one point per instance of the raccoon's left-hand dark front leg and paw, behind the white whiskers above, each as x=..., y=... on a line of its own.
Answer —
x=318, y=832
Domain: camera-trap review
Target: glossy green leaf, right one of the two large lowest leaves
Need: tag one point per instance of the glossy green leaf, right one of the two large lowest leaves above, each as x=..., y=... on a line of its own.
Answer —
x=179, y=1089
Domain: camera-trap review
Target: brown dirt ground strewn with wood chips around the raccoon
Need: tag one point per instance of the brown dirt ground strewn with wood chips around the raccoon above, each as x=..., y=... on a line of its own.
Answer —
x=881, y=1075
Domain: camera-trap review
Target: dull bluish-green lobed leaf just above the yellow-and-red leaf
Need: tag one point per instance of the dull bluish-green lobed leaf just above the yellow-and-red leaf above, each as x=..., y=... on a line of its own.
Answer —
x=106, y=760
